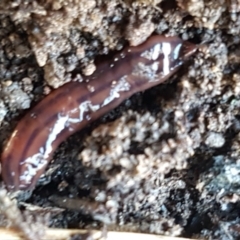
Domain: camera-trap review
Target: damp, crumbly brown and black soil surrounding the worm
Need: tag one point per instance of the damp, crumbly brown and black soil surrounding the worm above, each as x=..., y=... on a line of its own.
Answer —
x=166, y=161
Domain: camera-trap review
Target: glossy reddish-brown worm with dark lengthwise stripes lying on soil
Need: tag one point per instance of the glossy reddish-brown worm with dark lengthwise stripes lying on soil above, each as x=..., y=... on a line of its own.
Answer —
x=74, y=105
